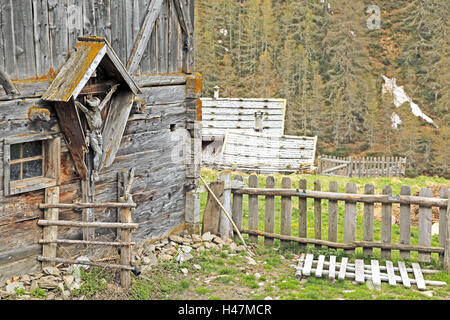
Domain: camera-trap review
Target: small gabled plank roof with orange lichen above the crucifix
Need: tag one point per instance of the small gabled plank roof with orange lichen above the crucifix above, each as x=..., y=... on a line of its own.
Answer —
x=89, y=53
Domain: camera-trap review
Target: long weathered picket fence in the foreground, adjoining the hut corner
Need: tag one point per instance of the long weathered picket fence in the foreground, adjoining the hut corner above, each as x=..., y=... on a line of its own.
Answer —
x=425, y=201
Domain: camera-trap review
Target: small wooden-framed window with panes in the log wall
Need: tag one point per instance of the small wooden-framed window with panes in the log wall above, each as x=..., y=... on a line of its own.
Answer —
x=31, y=165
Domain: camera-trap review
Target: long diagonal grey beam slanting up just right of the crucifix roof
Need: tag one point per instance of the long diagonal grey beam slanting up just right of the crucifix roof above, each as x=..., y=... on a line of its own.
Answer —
x=144, y=35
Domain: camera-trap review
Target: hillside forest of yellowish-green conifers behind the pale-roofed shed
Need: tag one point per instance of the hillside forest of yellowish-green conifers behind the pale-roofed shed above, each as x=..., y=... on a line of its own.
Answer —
x=324, y=57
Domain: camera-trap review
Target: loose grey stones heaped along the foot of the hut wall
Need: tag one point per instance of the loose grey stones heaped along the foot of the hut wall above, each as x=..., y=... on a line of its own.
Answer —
x=59, y=283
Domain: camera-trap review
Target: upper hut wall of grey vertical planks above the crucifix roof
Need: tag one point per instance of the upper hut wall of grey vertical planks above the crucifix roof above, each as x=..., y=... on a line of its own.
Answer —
x=37, y=36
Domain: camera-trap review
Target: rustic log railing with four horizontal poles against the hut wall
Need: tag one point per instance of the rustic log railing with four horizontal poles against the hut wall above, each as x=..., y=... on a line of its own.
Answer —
x=51, y=223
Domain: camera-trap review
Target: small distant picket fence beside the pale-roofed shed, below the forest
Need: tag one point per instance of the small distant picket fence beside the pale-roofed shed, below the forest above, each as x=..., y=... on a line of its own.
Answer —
x=362, y=167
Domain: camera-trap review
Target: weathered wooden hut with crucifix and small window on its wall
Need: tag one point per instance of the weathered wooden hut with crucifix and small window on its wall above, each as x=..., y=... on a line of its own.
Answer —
x=89, y=89
